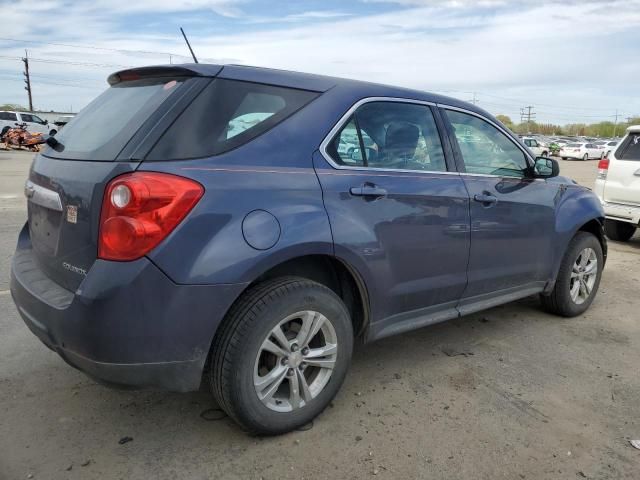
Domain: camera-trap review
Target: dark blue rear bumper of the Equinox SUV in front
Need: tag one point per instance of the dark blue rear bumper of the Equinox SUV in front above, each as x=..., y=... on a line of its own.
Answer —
x=127, y=323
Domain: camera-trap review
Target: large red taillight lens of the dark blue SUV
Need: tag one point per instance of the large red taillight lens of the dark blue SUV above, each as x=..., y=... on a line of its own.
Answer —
x=140, y=209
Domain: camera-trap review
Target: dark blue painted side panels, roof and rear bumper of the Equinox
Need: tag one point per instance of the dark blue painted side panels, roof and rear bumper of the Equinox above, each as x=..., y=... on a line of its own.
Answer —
x=425, y=253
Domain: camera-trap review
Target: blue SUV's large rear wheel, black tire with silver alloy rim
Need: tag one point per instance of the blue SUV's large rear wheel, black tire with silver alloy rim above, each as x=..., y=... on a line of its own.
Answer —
x=281, y=355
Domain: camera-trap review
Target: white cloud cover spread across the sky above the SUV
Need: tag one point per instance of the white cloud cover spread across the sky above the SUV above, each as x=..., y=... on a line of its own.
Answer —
x=574, y=60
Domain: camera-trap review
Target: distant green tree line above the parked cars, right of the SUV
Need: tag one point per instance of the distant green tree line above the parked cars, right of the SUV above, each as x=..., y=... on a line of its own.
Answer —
x=601, y=129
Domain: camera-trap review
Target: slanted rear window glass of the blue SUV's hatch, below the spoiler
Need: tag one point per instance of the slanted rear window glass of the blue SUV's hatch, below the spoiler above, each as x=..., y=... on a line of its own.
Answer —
x=102, y=129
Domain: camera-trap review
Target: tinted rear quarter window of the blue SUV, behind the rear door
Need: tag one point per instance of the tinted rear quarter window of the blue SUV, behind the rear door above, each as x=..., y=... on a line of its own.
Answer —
x=227, y=114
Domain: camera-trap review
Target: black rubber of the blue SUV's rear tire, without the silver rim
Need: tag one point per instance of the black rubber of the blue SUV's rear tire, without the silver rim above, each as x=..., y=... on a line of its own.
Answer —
x=247, y=325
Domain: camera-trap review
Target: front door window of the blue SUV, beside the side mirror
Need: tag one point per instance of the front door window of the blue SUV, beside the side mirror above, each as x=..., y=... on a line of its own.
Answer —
x=485, y=149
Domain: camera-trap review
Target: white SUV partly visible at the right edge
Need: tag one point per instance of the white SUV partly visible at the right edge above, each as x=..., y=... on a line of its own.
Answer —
x=618, y=187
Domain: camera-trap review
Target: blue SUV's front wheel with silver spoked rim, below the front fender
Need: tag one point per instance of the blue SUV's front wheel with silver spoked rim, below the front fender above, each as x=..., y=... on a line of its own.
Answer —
x=578, y=278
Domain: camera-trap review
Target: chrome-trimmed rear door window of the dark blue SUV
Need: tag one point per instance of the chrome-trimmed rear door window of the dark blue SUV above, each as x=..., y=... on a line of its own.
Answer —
x=397, y=136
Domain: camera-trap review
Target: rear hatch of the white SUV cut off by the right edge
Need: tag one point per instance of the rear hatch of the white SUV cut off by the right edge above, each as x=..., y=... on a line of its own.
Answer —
x=623, y=176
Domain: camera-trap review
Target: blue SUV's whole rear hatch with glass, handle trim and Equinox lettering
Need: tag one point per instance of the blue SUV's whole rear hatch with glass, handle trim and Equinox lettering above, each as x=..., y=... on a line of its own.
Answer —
x=67, y=180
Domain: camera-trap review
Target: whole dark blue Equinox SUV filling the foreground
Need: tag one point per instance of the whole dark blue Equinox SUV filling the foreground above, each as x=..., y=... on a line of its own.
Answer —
x=166, y=249
